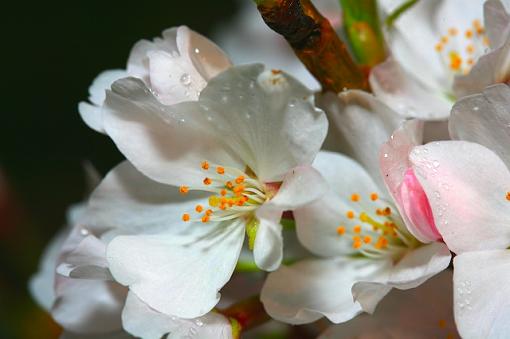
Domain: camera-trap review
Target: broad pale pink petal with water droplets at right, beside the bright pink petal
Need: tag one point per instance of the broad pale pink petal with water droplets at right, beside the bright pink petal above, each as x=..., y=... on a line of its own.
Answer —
x=467, y=185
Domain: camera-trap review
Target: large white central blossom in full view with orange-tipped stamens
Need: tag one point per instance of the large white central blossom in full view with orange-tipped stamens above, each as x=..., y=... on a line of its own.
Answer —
x=246, y=144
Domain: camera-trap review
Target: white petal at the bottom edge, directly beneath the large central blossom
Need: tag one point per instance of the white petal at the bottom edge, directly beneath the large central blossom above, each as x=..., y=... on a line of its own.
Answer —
x=142, y=321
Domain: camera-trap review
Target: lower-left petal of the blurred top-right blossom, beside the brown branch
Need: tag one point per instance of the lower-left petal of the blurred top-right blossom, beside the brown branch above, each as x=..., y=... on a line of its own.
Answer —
x=401, y=91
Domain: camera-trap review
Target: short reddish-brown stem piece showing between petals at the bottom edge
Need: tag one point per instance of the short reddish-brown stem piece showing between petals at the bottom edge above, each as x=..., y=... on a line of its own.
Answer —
x=245, y=315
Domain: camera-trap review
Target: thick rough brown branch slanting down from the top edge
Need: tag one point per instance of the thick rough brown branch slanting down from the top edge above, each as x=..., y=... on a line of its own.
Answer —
x=315, y=42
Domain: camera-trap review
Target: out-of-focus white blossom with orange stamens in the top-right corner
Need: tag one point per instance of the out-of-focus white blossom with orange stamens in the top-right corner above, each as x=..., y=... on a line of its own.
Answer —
x=437, y=49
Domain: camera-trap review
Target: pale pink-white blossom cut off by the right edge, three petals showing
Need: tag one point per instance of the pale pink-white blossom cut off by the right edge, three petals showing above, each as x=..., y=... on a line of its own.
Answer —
x=470, y=186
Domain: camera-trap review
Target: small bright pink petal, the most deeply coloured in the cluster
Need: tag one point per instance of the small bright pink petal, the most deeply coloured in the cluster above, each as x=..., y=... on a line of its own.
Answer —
x=416, y=206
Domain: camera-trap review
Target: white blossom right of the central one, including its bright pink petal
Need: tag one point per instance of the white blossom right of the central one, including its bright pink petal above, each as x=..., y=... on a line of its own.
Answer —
x=363, y=235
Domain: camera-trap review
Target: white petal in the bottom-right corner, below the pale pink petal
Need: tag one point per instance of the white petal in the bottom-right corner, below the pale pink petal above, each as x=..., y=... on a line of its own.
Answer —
x=481, y=289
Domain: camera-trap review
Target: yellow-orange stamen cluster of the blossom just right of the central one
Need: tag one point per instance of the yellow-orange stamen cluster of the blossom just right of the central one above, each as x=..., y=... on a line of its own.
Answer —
x=376, y=232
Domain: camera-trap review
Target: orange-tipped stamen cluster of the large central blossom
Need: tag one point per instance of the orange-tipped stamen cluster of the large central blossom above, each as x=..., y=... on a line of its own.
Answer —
x=235, y=193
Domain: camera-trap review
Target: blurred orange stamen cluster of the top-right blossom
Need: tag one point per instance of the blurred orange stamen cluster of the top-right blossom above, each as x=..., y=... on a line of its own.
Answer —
x=459, y=50
